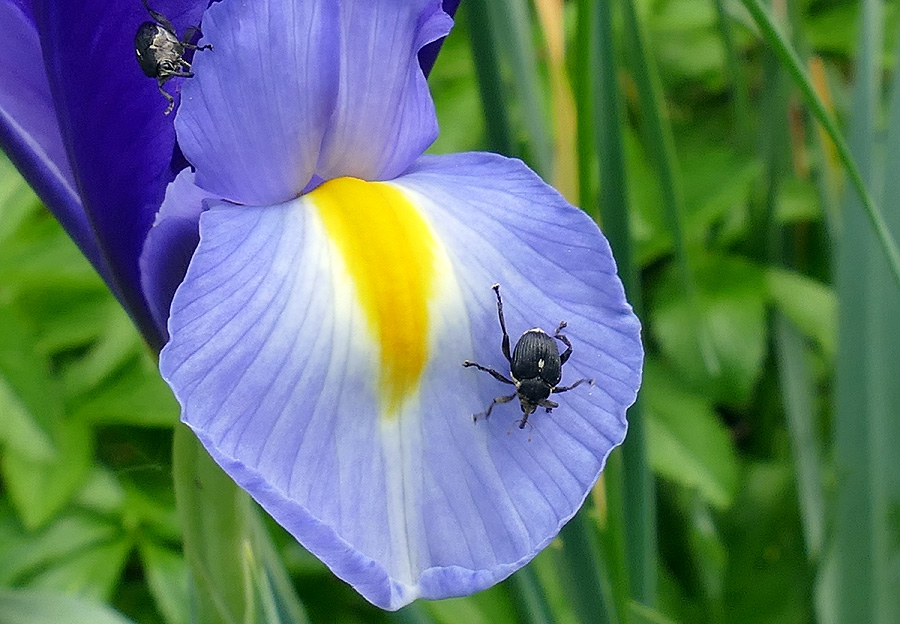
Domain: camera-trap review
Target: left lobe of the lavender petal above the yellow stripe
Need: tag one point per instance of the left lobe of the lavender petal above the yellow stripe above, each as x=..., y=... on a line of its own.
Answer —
x=253, y=118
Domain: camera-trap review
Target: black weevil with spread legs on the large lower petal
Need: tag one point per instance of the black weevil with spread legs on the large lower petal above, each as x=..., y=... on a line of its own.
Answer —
x=535, y=367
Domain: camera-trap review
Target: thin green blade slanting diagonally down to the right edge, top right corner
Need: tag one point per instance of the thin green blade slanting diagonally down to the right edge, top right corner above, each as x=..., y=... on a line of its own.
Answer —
x=781, y=46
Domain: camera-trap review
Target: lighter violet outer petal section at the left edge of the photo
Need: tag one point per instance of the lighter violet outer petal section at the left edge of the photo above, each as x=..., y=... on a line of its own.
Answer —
x=29, y=132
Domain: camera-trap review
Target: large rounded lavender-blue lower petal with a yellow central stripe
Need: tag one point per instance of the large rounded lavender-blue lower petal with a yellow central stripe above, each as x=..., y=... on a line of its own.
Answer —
x=334, y=392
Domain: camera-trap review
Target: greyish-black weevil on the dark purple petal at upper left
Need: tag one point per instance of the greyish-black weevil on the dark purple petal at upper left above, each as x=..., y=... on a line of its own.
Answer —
x=161, y=54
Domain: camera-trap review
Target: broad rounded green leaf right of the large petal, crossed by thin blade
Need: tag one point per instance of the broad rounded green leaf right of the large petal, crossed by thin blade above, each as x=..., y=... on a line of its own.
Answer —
x=731, y=302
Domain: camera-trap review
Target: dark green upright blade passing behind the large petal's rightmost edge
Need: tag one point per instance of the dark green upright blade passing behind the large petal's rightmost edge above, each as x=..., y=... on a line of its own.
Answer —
x=639, y=507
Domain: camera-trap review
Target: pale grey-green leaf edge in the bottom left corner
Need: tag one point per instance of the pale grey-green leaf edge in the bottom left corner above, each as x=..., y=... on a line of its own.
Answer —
x=36, y=607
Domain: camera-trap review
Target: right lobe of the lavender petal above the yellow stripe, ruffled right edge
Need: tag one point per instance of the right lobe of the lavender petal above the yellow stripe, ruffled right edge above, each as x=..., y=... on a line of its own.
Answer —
x=384, y=117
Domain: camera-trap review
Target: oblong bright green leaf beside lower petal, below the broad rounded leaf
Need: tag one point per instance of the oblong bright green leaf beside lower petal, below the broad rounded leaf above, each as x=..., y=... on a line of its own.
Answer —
x=688, y=443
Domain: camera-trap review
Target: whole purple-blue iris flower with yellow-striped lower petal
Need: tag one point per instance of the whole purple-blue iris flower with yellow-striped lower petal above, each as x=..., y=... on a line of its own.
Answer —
x=319, y=282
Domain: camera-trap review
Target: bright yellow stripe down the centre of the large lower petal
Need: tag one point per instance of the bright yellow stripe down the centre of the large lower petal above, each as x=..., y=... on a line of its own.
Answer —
x=389, y=252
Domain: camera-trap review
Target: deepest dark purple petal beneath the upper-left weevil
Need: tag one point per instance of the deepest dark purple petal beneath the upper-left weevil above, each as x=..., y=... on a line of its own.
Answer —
x=121, y=147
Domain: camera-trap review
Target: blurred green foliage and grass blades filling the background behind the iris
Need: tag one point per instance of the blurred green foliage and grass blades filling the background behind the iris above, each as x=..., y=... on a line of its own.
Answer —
x=760, y=481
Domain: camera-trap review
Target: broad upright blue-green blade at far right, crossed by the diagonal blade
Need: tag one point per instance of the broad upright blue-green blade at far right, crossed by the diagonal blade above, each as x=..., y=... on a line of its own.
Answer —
x=858, y=525
